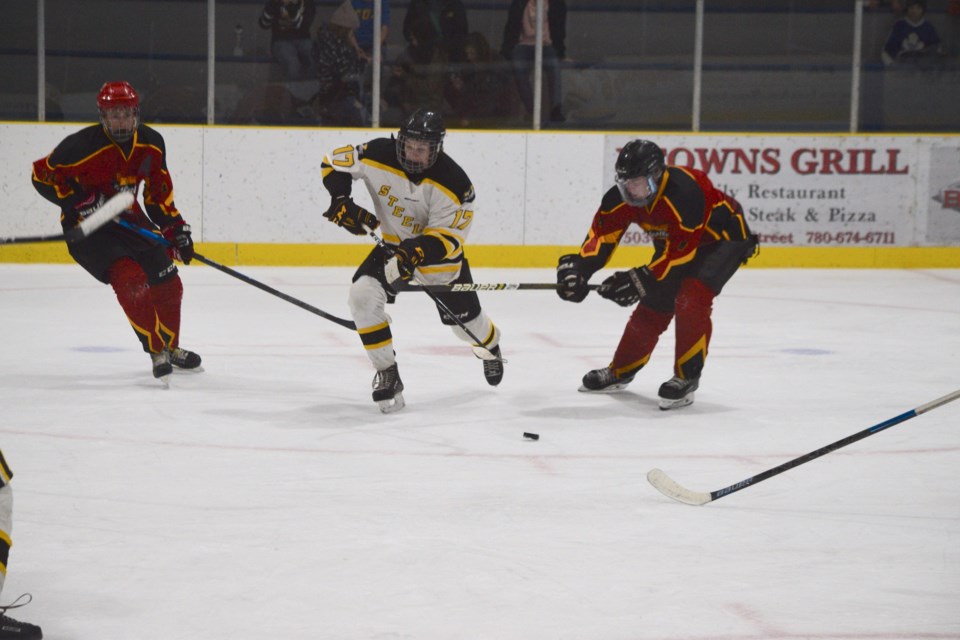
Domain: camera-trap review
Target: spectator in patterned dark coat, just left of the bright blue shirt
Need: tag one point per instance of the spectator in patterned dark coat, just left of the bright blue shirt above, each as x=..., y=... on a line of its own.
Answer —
x=340, y=68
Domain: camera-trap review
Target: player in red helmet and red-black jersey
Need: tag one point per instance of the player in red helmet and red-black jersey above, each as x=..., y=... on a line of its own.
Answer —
x=92, y=165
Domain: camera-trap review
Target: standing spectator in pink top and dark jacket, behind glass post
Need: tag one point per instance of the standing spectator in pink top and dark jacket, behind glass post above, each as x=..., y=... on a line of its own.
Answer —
x=519, y=46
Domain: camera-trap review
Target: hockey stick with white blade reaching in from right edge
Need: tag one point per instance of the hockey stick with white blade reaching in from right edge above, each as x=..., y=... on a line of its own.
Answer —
x=668, y=487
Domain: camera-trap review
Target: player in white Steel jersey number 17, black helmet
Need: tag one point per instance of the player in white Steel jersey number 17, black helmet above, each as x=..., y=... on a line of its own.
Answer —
x=424, y=206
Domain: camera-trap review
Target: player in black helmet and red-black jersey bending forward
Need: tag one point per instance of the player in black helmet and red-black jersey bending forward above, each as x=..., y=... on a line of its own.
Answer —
x=700, y=239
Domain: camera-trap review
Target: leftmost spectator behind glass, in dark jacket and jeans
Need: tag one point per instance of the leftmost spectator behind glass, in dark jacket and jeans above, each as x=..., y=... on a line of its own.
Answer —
x=289, y=22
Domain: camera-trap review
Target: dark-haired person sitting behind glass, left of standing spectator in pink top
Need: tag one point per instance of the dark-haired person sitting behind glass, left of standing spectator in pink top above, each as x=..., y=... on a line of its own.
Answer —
x=479, y=93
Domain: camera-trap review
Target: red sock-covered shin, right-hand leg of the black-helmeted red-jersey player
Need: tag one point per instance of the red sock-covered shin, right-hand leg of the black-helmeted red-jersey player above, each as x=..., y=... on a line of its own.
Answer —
x=693, y=328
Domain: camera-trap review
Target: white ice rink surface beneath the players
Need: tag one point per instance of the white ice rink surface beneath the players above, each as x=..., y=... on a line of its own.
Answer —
x=268, y=498
